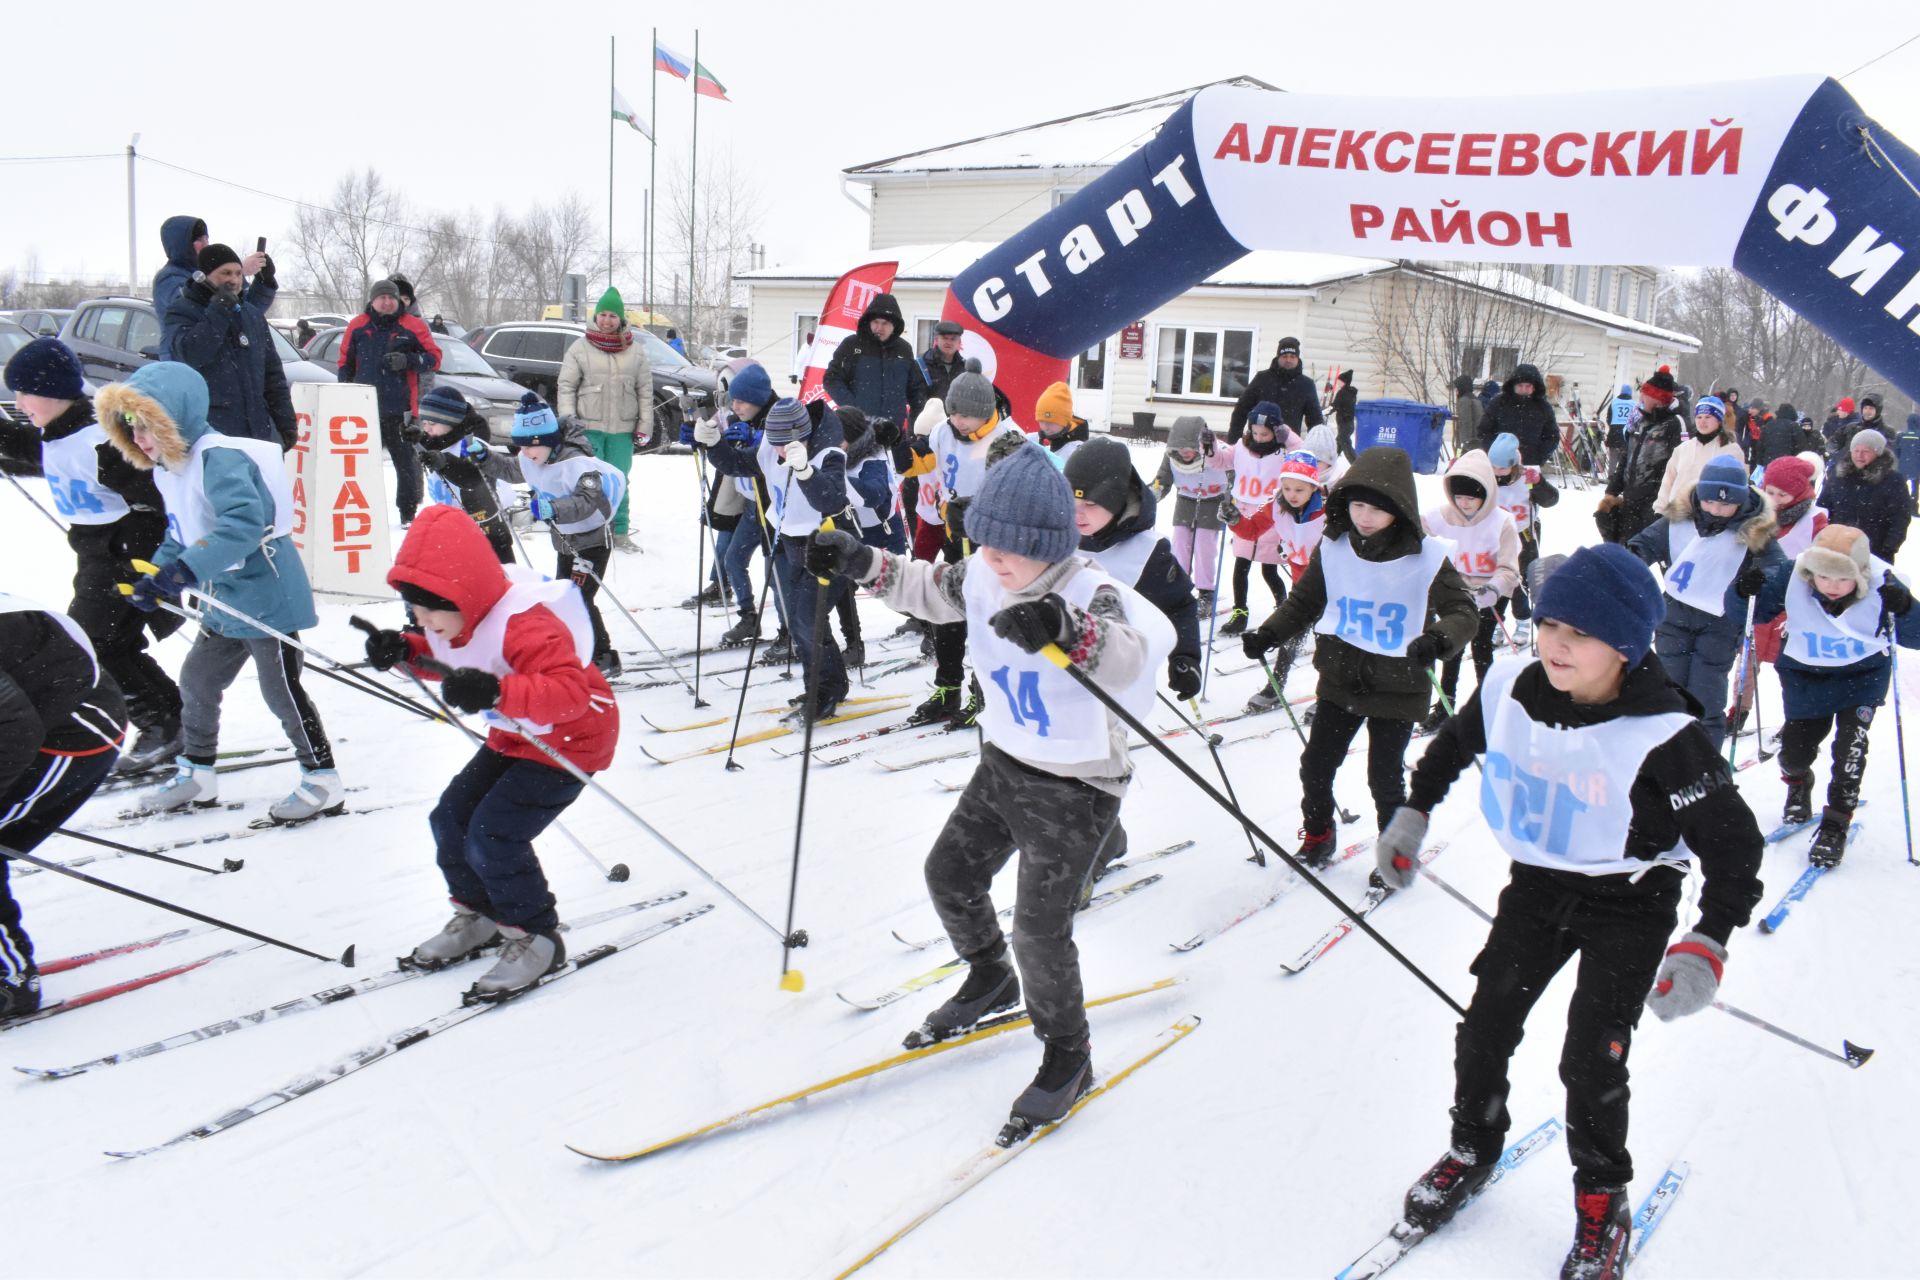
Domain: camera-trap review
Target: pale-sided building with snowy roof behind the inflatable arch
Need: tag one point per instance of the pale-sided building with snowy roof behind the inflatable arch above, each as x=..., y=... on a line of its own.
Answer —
x=1404, y=329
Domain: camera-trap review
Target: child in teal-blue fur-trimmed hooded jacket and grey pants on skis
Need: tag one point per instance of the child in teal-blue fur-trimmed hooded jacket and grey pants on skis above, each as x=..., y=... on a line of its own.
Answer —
x=229, y=538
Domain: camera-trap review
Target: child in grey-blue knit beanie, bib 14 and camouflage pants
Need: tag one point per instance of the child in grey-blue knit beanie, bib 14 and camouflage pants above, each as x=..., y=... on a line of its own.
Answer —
x=1055, y=761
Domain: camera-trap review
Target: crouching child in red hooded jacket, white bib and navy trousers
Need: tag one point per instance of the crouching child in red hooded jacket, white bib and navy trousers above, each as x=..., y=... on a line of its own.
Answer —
x=521, y=650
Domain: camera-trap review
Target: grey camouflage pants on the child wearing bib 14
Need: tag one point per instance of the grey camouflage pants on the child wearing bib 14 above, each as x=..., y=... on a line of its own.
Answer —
x=1059, y=828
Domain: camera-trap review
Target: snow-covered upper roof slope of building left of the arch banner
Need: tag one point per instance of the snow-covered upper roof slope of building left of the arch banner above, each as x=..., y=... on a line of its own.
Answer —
x=1092, y=139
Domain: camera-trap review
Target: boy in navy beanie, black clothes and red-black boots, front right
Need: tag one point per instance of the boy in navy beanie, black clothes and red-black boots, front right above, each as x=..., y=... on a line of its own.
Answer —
x=1600, y=786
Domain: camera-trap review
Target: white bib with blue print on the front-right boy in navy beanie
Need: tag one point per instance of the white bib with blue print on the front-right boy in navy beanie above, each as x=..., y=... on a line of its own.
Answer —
x=1562, y=797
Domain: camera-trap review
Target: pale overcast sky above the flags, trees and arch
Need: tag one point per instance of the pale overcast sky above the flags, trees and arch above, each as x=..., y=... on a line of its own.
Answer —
x=485, y=105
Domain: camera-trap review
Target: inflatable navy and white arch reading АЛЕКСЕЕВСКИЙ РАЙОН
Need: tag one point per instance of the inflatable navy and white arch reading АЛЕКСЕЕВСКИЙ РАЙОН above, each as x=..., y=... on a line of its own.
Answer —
x=1787, y=181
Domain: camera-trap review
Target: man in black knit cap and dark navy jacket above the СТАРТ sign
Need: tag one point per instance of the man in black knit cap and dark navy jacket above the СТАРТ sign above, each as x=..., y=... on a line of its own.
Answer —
x=228, y=343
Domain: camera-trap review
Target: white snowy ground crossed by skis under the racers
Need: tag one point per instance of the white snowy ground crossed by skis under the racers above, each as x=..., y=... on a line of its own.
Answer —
x=1276, y=1141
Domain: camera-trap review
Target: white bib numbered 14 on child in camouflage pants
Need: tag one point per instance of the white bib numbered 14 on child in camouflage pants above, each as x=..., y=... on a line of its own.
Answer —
x=1034, y=709
